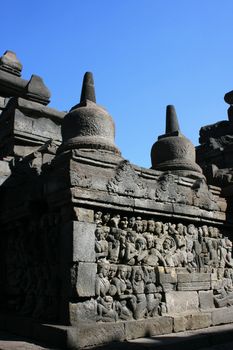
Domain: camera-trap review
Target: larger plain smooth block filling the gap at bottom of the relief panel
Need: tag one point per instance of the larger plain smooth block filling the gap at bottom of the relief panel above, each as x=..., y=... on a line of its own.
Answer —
x=181, y=301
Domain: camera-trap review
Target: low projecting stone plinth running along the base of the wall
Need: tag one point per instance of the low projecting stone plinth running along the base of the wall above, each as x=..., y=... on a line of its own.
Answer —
x=96, y=334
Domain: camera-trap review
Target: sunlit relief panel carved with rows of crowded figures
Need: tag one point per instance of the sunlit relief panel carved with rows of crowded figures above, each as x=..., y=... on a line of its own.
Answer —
x=140, y=260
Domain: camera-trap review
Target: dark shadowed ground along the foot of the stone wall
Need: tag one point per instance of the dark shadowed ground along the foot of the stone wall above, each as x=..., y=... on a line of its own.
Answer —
x=214, y=338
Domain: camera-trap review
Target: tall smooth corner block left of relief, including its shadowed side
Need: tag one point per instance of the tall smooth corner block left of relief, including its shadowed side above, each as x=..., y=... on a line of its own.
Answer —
x=78, y=241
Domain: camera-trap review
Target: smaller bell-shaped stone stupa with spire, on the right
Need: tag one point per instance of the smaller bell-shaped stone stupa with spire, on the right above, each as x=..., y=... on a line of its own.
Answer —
x=173, y=152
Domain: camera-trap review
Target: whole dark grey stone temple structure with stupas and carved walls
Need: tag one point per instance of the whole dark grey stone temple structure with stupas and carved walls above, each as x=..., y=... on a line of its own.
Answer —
x=95, y=249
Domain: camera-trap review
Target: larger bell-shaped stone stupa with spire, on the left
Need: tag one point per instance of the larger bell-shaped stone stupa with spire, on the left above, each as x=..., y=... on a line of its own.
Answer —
x=88, y=125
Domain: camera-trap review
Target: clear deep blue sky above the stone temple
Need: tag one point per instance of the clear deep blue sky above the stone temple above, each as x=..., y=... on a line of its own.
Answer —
x=144, y=54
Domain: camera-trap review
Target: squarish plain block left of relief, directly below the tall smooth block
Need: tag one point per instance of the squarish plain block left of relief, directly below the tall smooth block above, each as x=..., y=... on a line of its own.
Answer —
x=86, y=276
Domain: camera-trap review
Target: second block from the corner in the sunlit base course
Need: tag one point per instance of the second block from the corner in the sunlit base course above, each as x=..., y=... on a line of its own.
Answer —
x=149, y=327
